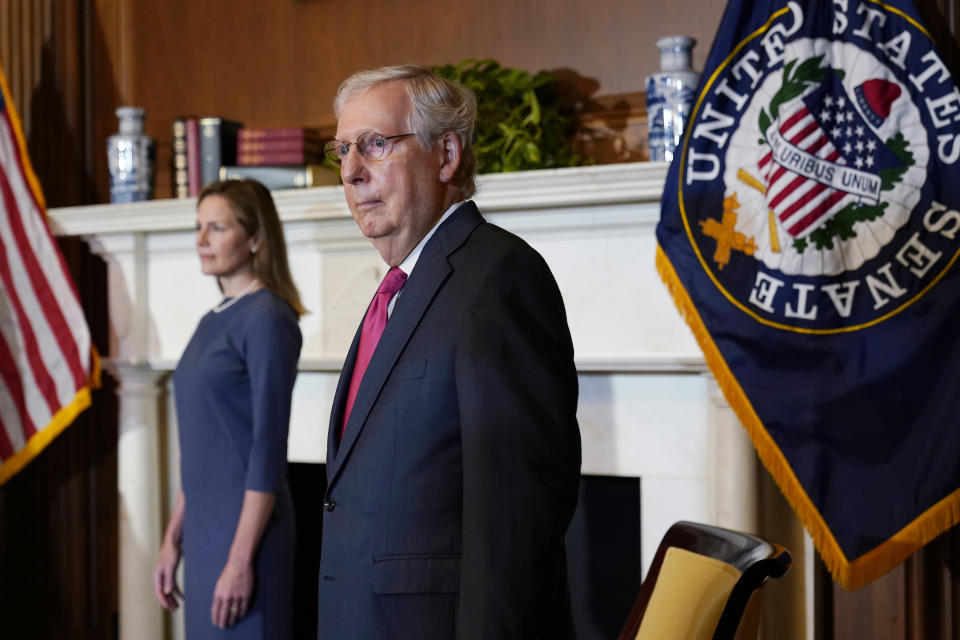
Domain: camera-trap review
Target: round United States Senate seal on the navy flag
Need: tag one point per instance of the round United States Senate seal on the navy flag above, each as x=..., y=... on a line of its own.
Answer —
x=818, y=179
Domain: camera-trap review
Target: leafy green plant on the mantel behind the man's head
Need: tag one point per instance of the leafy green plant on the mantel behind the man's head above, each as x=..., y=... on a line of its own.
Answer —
x=521, y=123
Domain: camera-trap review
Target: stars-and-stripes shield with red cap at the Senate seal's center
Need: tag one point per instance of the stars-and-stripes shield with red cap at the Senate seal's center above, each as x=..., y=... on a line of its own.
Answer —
x=824, y=155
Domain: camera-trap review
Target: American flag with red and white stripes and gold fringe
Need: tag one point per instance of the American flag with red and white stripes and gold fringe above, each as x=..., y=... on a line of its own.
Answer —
x=47, y=363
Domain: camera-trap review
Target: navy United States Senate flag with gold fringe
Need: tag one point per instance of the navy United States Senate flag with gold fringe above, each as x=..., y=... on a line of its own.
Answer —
x=809, y=234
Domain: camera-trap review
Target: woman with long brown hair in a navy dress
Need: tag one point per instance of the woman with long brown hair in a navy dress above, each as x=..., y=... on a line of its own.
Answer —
x=233, y=519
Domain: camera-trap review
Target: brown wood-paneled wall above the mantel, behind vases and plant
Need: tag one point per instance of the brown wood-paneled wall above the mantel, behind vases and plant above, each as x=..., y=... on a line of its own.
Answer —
x=279, y=62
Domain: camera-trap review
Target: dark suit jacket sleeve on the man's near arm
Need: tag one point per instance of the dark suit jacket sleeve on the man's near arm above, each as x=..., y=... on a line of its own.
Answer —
x=517, y=390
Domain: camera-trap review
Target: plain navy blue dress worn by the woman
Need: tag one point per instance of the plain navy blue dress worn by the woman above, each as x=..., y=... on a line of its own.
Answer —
x=233, y=387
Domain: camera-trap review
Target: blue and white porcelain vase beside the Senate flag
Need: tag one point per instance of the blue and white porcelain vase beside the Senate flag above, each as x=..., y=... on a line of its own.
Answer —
x=670, y=96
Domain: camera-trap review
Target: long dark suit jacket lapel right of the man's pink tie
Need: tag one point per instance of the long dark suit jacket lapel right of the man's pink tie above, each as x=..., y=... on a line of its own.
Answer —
x=431, y=270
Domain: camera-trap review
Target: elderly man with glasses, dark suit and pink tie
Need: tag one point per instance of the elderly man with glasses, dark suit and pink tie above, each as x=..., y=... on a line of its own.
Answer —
x=453, y=456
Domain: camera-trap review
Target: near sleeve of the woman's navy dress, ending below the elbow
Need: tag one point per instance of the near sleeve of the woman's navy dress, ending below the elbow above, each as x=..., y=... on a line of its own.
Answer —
x=272, y=348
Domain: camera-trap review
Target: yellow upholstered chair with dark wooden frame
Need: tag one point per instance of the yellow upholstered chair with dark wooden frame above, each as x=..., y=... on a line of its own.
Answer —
x=700, y=584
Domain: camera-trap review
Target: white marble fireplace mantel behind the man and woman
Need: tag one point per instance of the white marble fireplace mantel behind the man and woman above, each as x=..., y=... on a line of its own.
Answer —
x=648, y=408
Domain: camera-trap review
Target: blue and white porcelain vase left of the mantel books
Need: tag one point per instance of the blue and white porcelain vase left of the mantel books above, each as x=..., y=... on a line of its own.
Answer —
x=131, y=156
